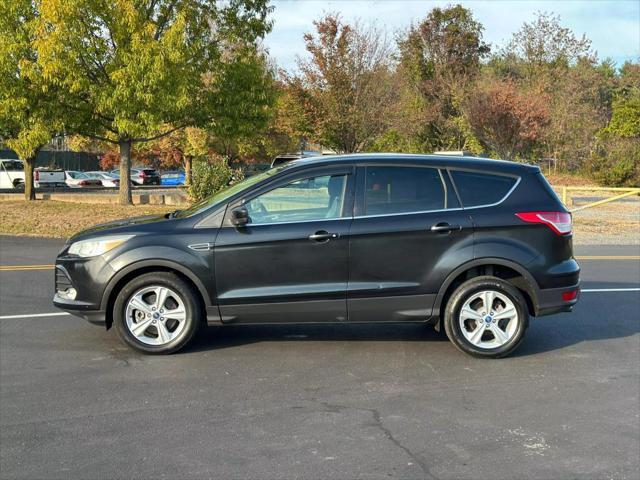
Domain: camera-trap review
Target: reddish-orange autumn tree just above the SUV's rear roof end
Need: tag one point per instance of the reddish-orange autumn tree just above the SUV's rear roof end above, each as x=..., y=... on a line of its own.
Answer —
x=505, y=120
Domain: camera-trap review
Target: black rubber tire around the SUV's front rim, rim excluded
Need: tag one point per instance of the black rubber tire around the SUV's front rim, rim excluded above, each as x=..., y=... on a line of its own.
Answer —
x=190, y=298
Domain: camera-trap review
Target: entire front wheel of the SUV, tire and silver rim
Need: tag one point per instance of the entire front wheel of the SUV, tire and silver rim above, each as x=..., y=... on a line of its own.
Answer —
x=161, y=328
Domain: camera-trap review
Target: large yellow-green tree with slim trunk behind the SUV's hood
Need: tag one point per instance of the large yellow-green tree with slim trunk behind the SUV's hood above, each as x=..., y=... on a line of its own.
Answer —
x=137, y=70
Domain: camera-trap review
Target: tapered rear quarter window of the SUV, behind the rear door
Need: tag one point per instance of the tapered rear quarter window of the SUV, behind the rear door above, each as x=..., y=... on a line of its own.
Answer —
x=477, y=189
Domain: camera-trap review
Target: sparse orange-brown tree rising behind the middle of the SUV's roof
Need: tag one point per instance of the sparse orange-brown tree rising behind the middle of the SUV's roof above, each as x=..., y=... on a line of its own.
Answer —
x=345, y=83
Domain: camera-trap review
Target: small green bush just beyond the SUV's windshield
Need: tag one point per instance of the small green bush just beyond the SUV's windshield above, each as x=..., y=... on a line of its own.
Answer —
x=210, y=176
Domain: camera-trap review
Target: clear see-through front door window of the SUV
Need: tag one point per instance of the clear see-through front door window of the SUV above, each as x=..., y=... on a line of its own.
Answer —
x=309, y=199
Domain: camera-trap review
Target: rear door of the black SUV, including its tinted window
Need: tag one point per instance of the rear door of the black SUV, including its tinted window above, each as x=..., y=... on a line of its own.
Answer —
x=408, y=234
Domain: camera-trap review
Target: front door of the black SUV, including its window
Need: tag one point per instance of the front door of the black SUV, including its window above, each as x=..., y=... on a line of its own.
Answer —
x=289, y=263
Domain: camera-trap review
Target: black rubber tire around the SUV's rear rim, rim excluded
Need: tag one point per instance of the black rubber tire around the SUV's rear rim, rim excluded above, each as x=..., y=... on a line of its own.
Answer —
x=457, y=301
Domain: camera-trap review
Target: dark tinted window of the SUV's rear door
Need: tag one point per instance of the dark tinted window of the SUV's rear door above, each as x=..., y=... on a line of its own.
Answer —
x=392, y=190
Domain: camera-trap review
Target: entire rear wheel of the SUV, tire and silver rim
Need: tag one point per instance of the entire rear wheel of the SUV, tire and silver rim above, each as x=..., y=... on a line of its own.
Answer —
x=492, y=335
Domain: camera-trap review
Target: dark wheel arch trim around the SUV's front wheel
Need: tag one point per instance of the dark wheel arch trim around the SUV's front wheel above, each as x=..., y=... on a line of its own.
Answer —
x=136, y=269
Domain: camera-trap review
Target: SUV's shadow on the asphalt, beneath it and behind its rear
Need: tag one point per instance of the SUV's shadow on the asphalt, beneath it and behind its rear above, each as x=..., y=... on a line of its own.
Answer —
x=597, y=316
